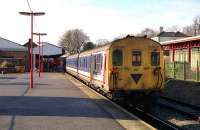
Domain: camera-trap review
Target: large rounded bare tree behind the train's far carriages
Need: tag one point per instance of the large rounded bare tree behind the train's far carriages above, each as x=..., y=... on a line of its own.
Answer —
x=73, y=40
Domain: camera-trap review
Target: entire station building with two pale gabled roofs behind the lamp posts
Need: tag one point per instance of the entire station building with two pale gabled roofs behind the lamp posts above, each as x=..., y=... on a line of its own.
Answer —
x=16, y=58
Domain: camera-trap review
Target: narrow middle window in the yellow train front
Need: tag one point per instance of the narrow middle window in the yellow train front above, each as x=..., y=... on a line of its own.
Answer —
x=136, y=58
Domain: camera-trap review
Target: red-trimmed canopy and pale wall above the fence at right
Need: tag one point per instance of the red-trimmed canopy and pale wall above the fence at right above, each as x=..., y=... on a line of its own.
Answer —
x=185, y=49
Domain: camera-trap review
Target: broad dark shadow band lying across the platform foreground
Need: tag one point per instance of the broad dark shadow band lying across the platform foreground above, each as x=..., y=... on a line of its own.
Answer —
x=55, y=106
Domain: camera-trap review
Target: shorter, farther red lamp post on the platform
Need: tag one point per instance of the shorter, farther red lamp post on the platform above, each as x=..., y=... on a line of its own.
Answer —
x=39, y=59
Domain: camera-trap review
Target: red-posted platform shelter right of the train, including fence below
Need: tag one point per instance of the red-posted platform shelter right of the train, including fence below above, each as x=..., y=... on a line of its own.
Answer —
x=184, y=57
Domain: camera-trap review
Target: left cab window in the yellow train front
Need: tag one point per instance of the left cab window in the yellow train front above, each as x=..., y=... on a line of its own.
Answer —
x=117, y=57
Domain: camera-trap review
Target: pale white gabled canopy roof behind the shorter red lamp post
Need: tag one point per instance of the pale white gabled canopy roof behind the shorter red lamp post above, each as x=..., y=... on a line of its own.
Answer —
x=48, y=50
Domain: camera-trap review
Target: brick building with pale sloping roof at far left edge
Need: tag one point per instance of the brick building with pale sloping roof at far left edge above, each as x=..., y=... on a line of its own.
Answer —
x=13, y=57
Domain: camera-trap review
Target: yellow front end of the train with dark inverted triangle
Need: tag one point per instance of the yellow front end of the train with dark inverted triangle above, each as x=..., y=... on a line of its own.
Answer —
x=136, y=67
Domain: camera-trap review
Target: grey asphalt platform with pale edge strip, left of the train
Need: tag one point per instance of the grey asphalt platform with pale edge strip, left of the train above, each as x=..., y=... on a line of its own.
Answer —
x=59, y=102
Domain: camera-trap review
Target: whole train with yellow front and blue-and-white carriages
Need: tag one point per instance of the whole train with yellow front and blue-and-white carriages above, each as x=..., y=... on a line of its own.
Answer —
x=130, y=68
